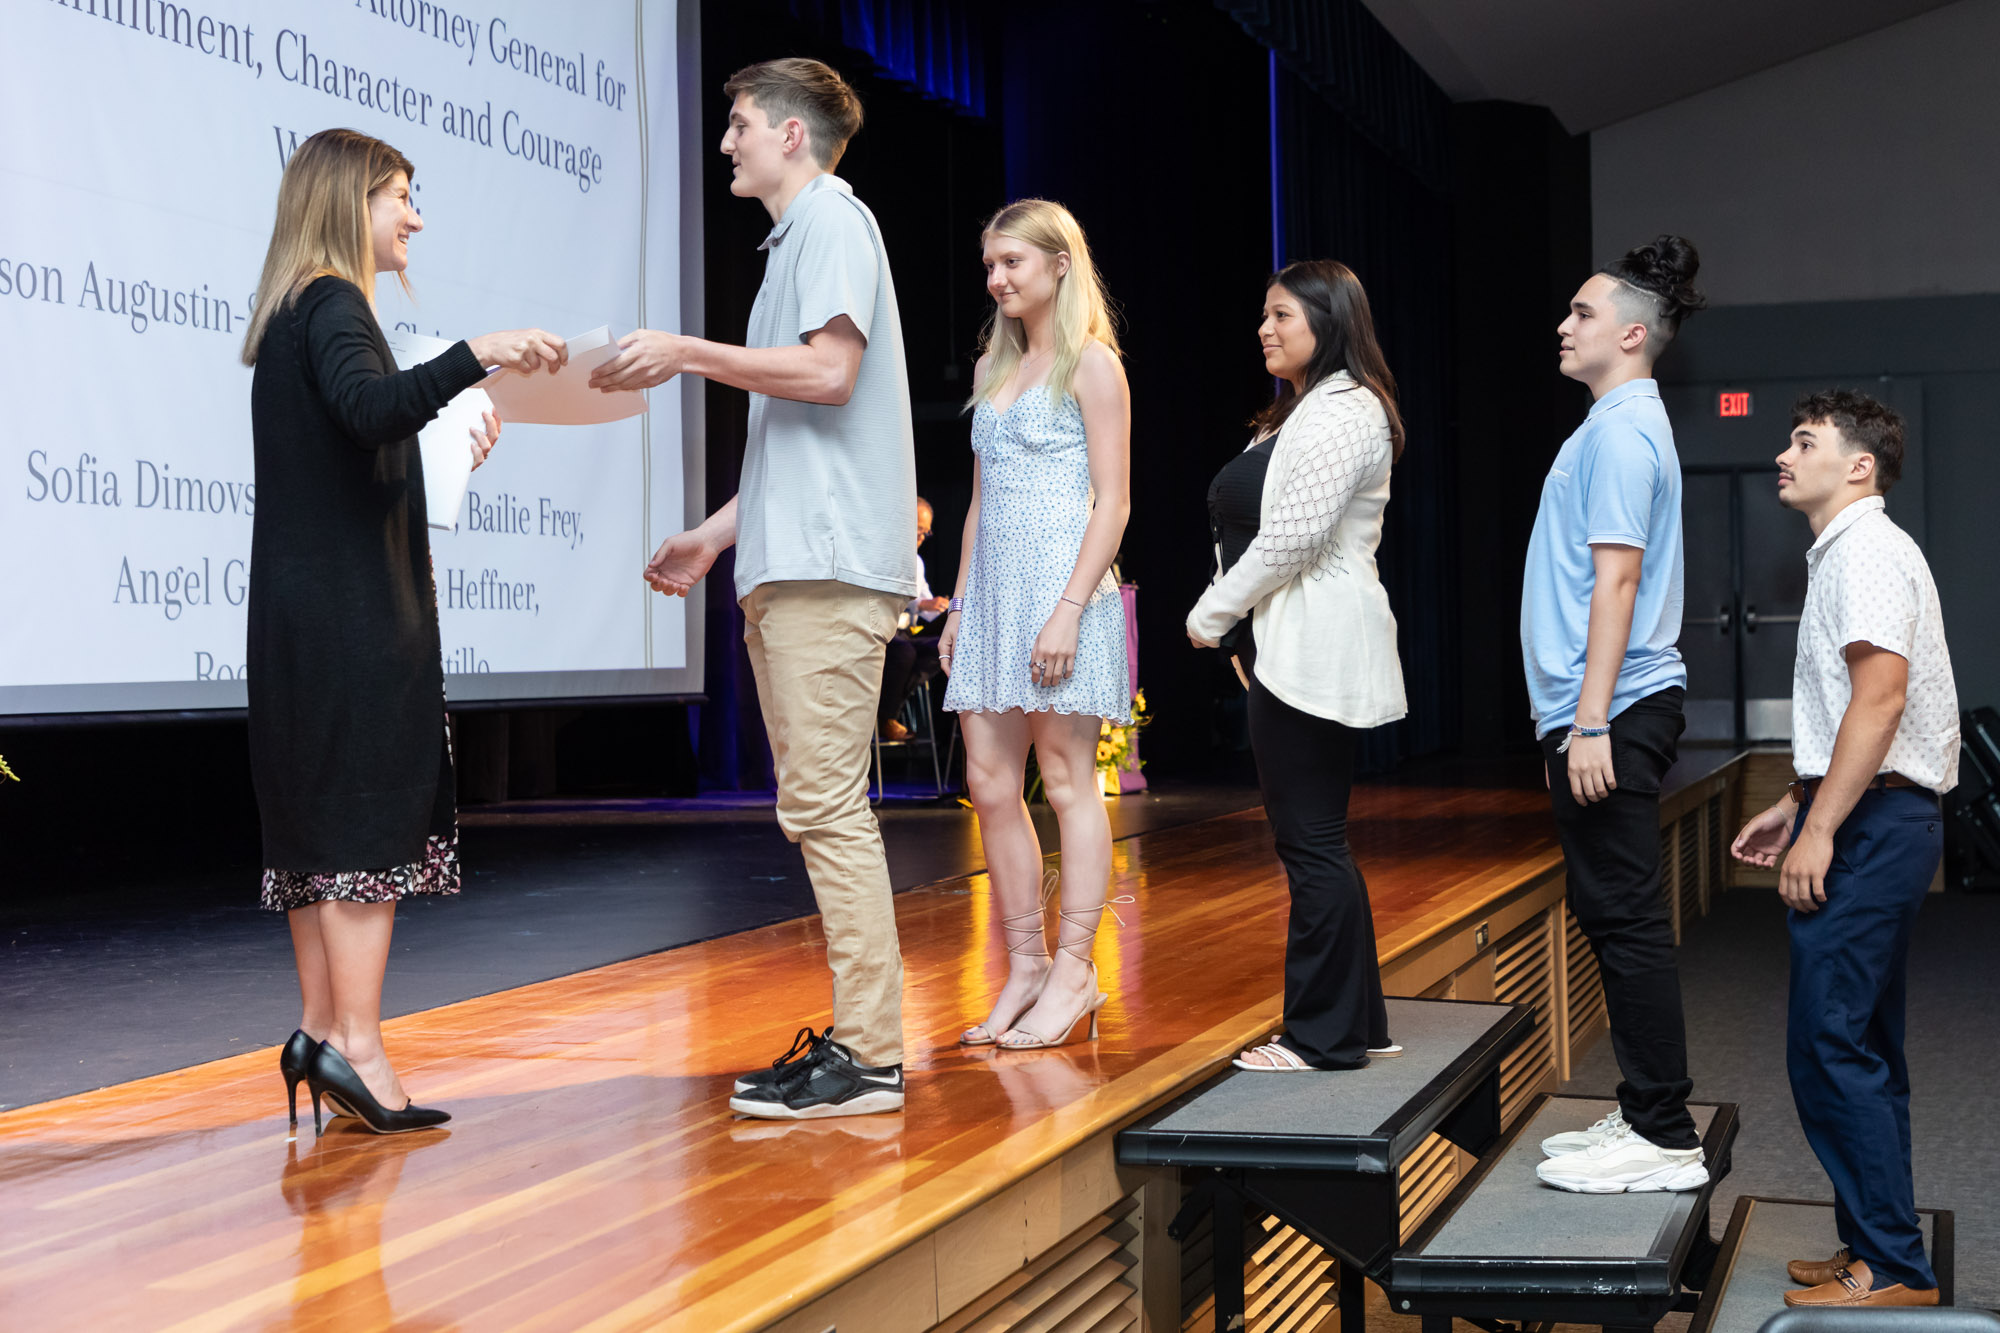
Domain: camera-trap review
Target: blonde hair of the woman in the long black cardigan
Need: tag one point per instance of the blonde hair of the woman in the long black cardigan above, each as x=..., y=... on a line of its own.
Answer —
x=323, y=223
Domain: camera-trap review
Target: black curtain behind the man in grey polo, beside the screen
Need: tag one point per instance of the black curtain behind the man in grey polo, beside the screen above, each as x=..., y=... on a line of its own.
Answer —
x=931, y=171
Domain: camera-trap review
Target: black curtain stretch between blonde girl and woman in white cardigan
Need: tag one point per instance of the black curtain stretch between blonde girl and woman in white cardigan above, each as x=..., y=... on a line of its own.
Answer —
x=1147, y=119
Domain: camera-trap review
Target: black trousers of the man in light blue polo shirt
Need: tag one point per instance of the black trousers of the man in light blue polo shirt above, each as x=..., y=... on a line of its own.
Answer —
x=1613, y=858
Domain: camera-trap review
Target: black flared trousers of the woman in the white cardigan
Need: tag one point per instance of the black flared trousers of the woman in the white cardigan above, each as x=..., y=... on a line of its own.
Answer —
x=1333, y=980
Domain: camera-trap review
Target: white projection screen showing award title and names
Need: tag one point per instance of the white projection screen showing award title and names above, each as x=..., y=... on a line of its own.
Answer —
x=137, y=191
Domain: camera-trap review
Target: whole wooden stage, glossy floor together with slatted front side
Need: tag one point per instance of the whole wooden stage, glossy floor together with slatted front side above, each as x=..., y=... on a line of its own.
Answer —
x=593, y=1176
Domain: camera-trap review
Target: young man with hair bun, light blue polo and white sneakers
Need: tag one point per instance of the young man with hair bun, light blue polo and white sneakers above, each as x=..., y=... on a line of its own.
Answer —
x=1599, y=623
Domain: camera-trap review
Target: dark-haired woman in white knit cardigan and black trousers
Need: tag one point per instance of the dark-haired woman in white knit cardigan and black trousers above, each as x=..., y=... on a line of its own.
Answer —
x=1297, y=521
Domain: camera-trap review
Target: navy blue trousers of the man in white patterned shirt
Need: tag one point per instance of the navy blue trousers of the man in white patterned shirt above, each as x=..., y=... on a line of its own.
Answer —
x=1845, y=1032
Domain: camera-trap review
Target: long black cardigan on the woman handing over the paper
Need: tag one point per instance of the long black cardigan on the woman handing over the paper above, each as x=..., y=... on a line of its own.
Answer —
x=347, y=686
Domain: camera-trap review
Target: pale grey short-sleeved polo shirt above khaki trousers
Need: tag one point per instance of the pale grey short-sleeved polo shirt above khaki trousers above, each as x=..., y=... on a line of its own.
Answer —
x=829, y=491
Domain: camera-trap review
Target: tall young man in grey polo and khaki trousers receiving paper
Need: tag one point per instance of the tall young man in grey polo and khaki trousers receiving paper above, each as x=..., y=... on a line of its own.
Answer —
x=821, y=525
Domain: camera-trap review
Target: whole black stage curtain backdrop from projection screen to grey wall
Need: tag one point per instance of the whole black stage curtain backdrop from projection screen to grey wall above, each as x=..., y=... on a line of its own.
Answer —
x=1363, y=175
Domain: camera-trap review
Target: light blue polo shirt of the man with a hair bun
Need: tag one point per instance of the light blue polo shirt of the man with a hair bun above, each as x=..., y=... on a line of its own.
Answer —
x=1615, y=481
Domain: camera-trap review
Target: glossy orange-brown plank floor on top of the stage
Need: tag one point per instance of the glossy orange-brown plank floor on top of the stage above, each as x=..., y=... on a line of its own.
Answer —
x=593, y=1176
